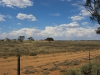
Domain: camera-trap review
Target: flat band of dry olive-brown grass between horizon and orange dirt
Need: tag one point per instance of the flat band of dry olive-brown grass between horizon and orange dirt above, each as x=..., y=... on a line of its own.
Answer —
x=12, y=48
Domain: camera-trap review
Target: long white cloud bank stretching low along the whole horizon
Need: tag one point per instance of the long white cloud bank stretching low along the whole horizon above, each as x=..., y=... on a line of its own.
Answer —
x=71, y=31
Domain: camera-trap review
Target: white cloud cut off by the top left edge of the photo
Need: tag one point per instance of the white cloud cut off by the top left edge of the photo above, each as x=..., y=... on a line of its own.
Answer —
x=16, y=3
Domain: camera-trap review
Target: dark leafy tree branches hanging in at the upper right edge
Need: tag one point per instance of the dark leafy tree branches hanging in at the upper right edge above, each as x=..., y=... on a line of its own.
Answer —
x=93, y=6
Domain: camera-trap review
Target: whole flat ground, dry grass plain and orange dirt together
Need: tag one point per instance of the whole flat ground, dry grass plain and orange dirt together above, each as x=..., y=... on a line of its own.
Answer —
x=46, y=58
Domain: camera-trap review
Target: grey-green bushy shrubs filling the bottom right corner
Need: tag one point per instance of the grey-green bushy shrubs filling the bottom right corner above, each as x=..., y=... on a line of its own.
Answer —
x=92, y=68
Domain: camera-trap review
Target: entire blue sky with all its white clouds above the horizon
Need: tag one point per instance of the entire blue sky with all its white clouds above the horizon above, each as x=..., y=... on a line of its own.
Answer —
x=59, y=19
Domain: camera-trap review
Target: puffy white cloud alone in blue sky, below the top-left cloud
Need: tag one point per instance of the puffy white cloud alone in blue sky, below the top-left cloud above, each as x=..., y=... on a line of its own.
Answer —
x=22, y=16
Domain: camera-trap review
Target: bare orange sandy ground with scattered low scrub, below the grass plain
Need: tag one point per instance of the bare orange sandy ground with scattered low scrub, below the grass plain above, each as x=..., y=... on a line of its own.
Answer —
x=51, y=64
